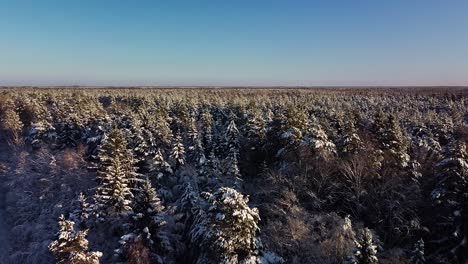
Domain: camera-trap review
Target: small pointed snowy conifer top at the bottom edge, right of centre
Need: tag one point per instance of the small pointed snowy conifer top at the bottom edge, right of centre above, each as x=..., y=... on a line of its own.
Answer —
x=365, y=251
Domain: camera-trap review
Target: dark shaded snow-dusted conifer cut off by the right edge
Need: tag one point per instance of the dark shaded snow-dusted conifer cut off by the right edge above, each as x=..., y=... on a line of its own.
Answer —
x=451, y=201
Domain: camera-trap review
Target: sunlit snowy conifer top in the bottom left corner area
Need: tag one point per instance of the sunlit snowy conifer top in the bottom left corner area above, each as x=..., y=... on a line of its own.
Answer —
x=71, y=247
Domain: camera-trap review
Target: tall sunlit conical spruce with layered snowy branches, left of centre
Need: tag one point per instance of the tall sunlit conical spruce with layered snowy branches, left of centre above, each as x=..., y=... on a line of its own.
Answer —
x=116, y=176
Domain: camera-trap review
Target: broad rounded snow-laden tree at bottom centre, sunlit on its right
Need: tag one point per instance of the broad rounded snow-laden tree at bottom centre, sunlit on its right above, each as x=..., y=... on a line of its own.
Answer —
x=225, y=228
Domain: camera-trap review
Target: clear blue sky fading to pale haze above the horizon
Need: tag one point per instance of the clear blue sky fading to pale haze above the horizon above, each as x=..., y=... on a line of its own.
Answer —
x=234, y=42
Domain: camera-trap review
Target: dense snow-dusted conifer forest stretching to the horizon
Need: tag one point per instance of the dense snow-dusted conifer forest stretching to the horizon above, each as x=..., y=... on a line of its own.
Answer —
x=328, y=175
